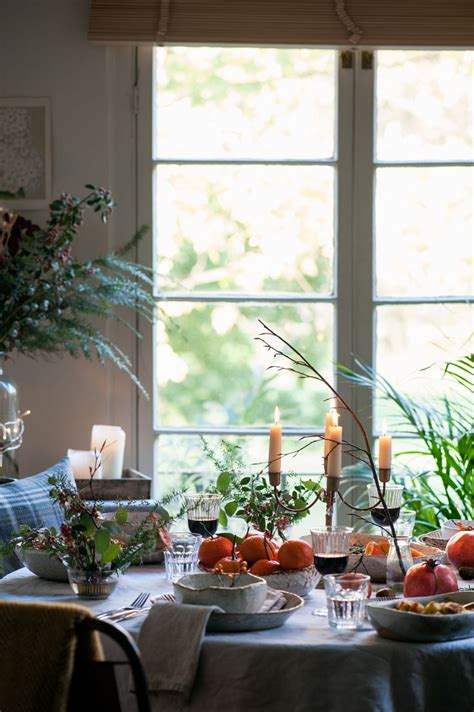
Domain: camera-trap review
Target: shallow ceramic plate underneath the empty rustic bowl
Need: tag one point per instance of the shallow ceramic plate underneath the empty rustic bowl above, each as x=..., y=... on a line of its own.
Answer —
x=241, y=622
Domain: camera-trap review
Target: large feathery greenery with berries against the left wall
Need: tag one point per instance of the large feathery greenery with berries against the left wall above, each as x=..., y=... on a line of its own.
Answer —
x=48, y=299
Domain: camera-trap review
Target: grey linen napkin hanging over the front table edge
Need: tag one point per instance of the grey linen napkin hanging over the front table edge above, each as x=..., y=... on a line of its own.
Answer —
x=170, y=643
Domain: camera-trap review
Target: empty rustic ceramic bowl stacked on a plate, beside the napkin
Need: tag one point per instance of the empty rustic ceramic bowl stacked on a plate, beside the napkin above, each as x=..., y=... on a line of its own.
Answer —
x=241, y=593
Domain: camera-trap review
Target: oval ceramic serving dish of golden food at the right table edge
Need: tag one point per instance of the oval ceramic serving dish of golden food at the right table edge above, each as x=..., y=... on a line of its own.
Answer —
x=419, y=627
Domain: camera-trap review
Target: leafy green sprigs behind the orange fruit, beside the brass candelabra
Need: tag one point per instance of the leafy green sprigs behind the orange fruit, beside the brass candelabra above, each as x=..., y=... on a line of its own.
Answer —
x=250, y=496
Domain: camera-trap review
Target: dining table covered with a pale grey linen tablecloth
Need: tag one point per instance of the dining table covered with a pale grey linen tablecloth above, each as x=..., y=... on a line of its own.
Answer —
x=302, y=666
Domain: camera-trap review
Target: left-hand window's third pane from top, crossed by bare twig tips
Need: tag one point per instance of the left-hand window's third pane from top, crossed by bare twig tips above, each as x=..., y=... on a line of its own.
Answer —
x=212, y=371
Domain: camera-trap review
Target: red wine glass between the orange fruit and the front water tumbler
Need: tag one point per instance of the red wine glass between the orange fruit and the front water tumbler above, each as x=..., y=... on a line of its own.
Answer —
x=330, y=552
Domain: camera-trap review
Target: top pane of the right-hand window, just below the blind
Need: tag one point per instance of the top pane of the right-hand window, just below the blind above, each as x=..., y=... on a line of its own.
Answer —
x=425, y=105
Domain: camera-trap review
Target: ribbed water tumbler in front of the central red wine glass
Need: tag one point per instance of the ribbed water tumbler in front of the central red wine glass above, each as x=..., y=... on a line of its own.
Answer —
x=346, y=599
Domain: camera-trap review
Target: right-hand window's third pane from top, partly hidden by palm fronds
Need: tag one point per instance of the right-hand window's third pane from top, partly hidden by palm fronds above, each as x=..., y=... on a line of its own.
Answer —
x=414, y=337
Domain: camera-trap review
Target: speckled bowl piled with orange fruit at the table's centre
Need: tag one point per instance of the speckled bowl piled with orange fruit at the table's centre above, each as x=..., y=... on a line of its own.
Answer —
x=288, y=567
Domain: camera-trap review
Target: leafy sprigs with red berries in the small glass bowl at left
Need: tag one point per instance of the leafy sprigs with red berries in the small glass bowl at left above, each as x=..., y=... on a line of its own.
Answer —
x=87, y=541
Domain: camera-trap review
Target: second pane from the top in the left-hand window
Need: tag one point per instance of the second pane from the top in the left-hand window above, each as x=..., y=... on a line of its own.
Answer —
x=245, y=228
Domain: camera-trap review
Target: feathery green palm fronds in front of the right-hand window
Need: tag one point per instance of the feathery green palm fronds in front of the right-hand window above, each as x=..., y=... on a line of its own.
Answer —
x=443, y=430
